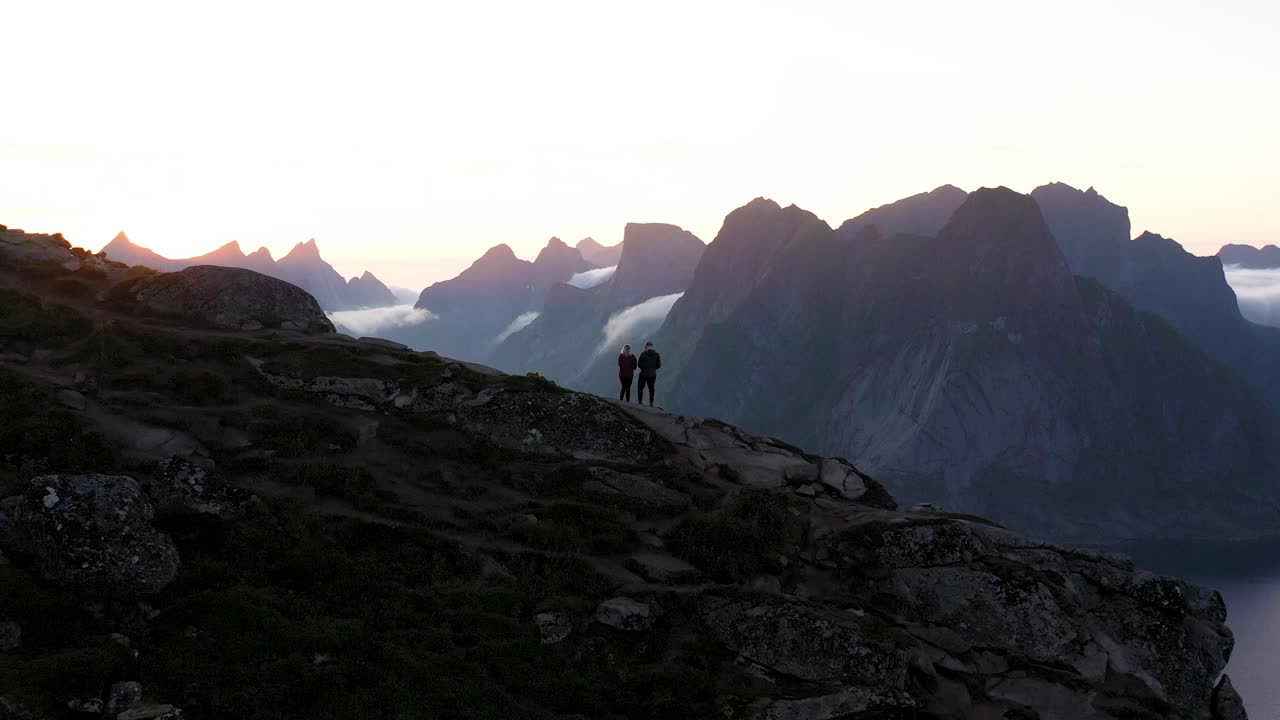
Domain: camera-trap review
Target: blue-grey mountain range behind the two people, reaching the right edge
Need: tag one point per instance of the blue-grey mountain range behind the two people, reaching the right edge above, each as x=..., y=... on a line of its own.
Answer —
x=991, y=353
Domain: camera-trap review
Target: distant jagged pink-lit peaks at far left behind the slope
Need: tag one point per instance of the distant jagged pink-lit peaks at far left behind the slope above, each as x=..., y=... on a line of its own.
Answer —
x=303, y=267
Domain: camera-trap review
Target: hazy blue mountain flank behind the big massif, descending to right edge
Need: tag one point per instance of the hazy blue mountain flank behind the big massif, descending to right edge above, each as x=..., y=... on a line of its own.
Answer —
x=1158, y=276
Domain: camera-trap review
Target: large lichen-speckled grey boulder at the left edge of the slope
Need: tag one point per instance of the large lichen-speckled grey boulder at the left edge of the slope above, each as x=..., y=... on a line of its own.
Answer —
x=92, y=534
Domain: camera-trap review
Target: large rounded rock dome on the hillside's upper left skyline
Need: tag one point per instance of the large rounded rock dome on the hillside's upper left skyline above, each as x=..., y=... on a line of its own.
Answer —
x=227, y=298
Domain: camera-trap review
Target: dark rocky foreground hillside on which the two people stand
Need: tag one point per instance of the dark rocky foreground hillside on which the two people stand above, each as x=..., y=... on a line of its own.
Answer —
x=271, y=523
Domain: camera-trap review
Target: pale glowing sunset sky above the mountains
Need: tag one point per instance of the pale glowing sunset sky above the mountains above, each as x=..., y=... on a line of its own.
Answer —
x=412, y=136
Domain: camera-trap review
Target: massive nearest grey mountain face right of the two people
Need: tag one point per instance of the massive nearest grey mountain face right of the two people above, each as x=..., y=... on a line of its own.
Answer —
x=972, y=370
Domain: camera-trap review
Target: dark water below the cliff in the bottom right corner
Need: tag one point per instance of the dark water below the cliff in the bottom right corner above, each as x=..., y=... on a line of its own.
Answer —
x=1249, y=577
